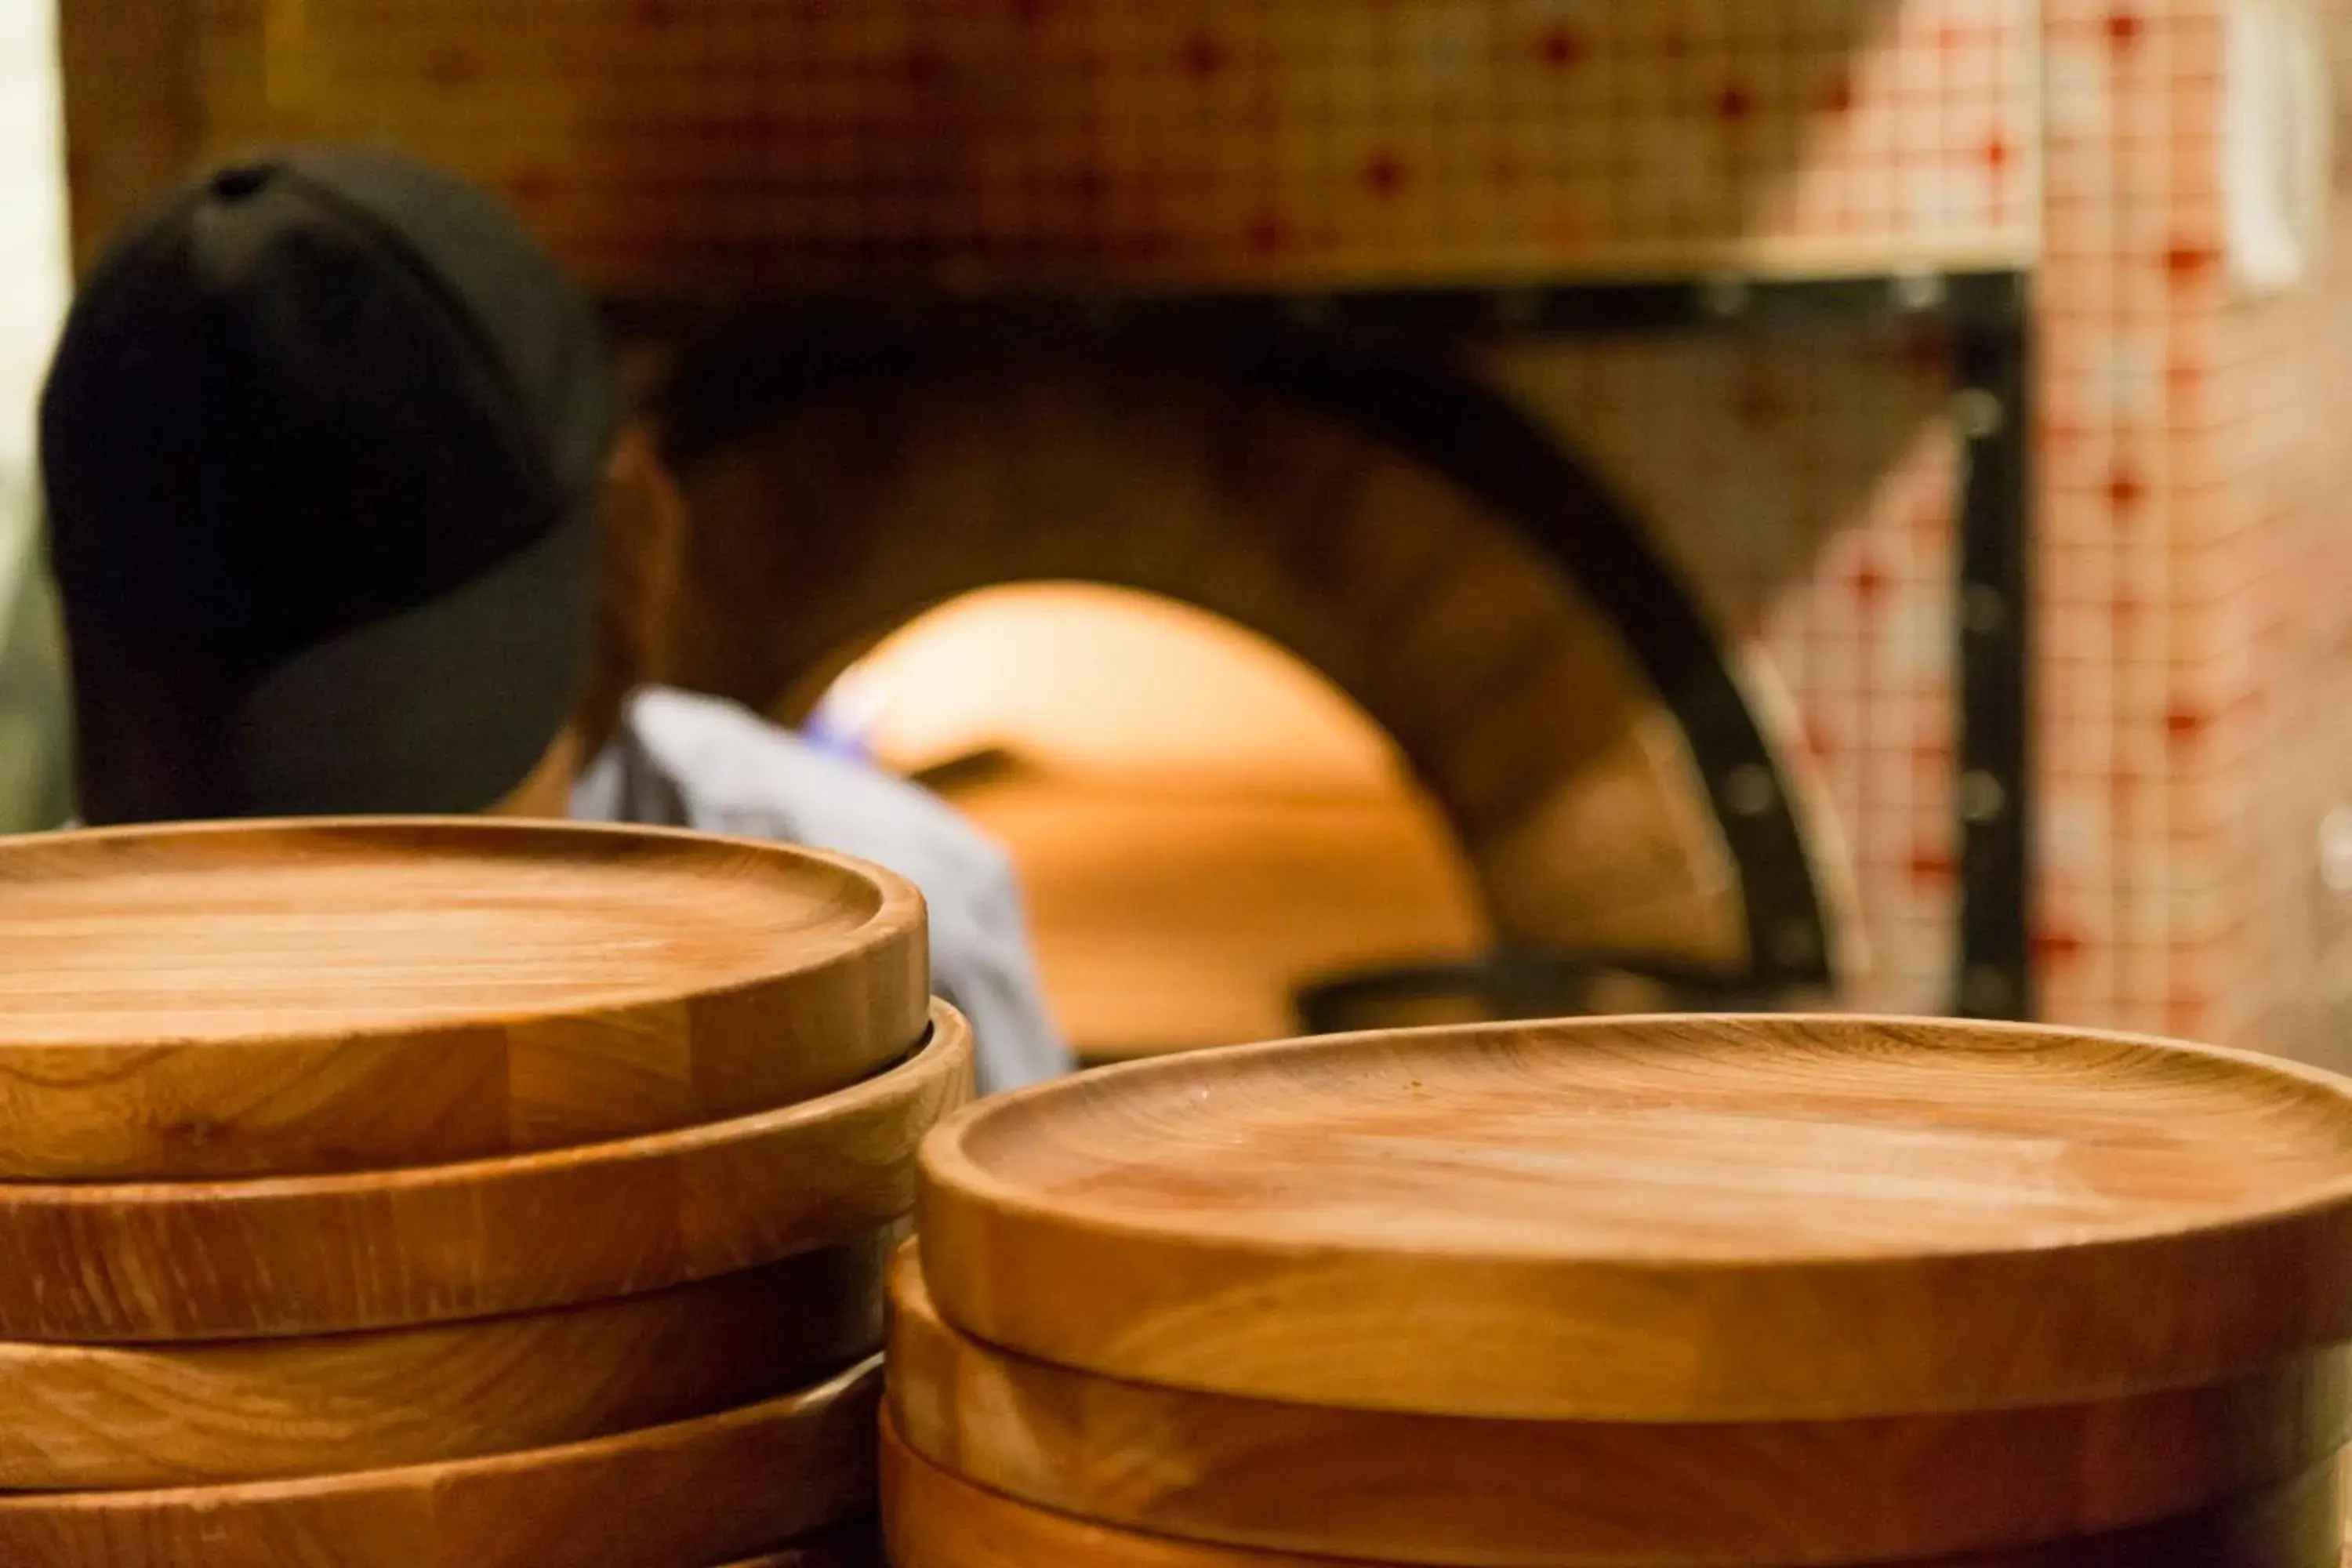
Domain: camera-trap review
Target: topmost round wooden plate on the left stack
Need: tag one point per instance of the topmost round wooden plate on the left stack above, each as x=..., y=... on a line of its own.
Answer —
x=359, y=996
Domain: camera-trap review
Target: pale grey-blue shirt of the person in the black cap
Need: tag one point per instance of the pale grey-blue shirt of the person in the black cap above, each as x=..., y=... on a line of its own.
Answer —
x=686, y=760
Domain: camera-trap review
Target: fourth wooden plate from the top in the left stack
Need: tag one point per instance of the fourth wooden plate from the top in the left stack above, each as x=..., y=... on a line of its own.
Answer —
x=700, y=1492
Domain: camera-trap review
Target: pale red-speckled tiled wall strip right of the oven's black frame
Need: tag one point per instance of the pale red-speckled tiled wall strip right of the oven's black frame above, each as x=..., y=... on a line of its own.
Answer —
x=2193, y=551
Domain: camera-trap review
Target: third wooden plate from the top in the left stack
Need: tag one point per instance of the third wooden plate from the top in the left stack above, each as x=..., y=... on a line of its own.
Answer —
x=91, y=1416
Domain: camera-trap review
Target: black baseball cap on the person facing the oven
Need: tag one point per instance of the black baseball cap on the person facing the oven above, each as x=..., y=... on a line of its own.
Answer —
x=323, y=445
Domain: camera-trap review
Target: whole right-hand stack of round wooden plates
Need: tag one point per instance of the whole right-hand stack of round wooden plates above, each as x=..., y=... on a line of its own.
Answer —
x=1636, y=1294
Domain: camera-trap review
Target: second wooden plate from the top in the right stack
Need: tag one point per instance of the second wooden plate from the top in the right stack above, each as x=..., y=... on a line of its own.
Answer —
x=1511, y=1494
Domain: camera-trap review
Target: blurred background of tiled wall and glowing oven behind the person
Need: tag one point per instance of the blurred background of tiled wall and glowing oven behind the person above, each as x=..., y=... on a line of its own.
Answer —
x=1436, y=507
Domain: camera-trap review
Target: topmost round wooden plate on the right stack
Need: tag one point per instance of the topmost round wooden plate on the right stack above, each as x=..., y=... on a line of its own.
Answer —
x=1659, y=1219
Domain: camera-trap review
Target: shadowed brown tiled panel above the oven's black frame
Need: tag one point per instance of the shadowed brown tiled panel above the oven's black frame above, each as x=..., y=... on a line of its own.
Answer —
x=1182, y=140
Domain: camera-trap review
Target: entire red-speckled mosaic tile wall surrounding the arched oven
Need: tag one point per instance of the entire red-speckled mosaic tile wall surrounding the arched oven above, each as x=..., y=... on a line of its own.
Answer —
x=2191, y=492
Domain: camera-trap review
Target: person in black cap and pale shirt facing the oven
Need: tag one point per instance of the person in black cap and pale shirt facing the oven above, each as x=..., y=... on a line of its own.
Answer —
x=328, y=443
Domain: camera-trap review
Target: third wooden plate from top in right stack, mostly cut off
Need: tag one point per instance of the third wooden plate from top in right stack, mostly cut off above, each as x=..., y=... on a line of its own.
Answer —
x=937, y=1520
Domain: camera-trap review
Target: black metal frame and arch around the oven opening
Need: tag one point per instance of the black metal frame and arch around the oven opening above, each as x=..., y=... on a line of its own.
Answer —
x=1391, y=363
